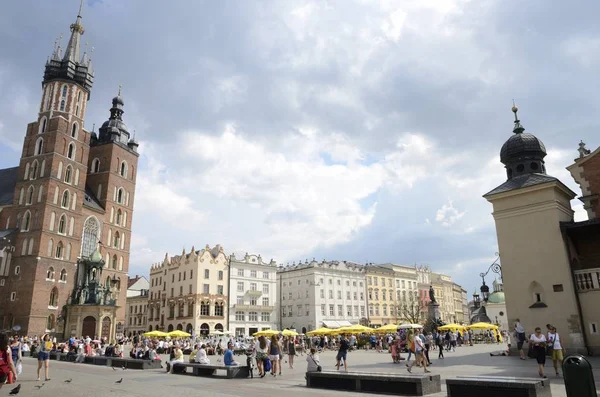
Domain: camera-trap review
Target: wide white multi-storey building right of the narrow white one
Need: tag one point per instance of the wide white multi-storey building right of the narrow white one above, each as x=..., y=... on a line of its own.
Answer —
x=322, y=294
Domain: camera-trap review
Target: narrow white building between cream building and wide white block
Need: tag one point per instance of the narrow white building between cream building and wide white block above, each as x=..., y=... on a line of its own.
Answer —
x=253, y=295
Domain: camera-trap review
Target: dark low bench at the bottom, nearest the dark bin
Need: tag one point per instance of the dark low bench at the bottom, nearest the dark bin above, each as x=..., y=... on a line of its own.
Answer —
x=497, y=386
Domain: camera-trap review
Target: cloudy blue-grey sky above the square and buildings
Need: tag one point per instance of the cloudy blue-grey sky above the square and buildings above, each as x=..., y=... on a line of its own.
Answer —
x=360, y=130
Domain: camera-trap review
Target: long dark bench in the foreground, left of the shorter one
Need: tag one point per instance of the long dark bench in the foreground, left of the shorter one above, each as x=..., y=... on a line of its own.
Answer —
x=402, y=385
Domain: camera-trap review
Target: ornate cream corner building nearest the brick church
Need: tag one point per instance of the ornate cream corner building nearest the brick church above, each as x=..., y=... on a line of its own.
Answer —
x=190, y=292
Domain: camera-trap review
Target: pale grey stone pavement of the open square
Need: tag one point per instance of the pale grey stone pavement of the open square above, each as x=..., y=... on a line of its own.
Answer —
x=89, y=380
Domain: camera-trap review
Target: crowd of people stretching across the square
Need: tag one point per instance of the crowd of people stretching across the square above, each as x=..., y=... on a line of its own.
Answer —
x=268, y=354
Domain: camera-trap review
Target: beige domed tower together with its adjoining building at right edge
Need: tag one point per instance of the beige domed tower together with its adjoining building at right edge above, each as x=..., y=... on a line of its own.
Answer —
x=550, y=263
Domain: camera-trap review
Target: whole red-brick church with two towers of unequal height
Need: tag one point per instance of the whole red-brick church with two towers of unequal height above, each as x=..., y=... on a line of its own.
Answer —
x=69, y=201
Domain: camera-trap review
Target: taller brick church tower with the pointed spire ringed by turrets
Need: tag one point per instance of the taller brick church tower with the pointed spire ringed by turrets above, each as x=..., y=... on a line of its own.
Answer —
x=50, y=189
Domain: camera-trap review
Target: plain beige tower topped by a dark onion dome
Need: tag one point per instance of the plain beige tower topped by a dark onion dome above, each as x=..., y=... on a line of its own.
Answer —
x=528, y=210
